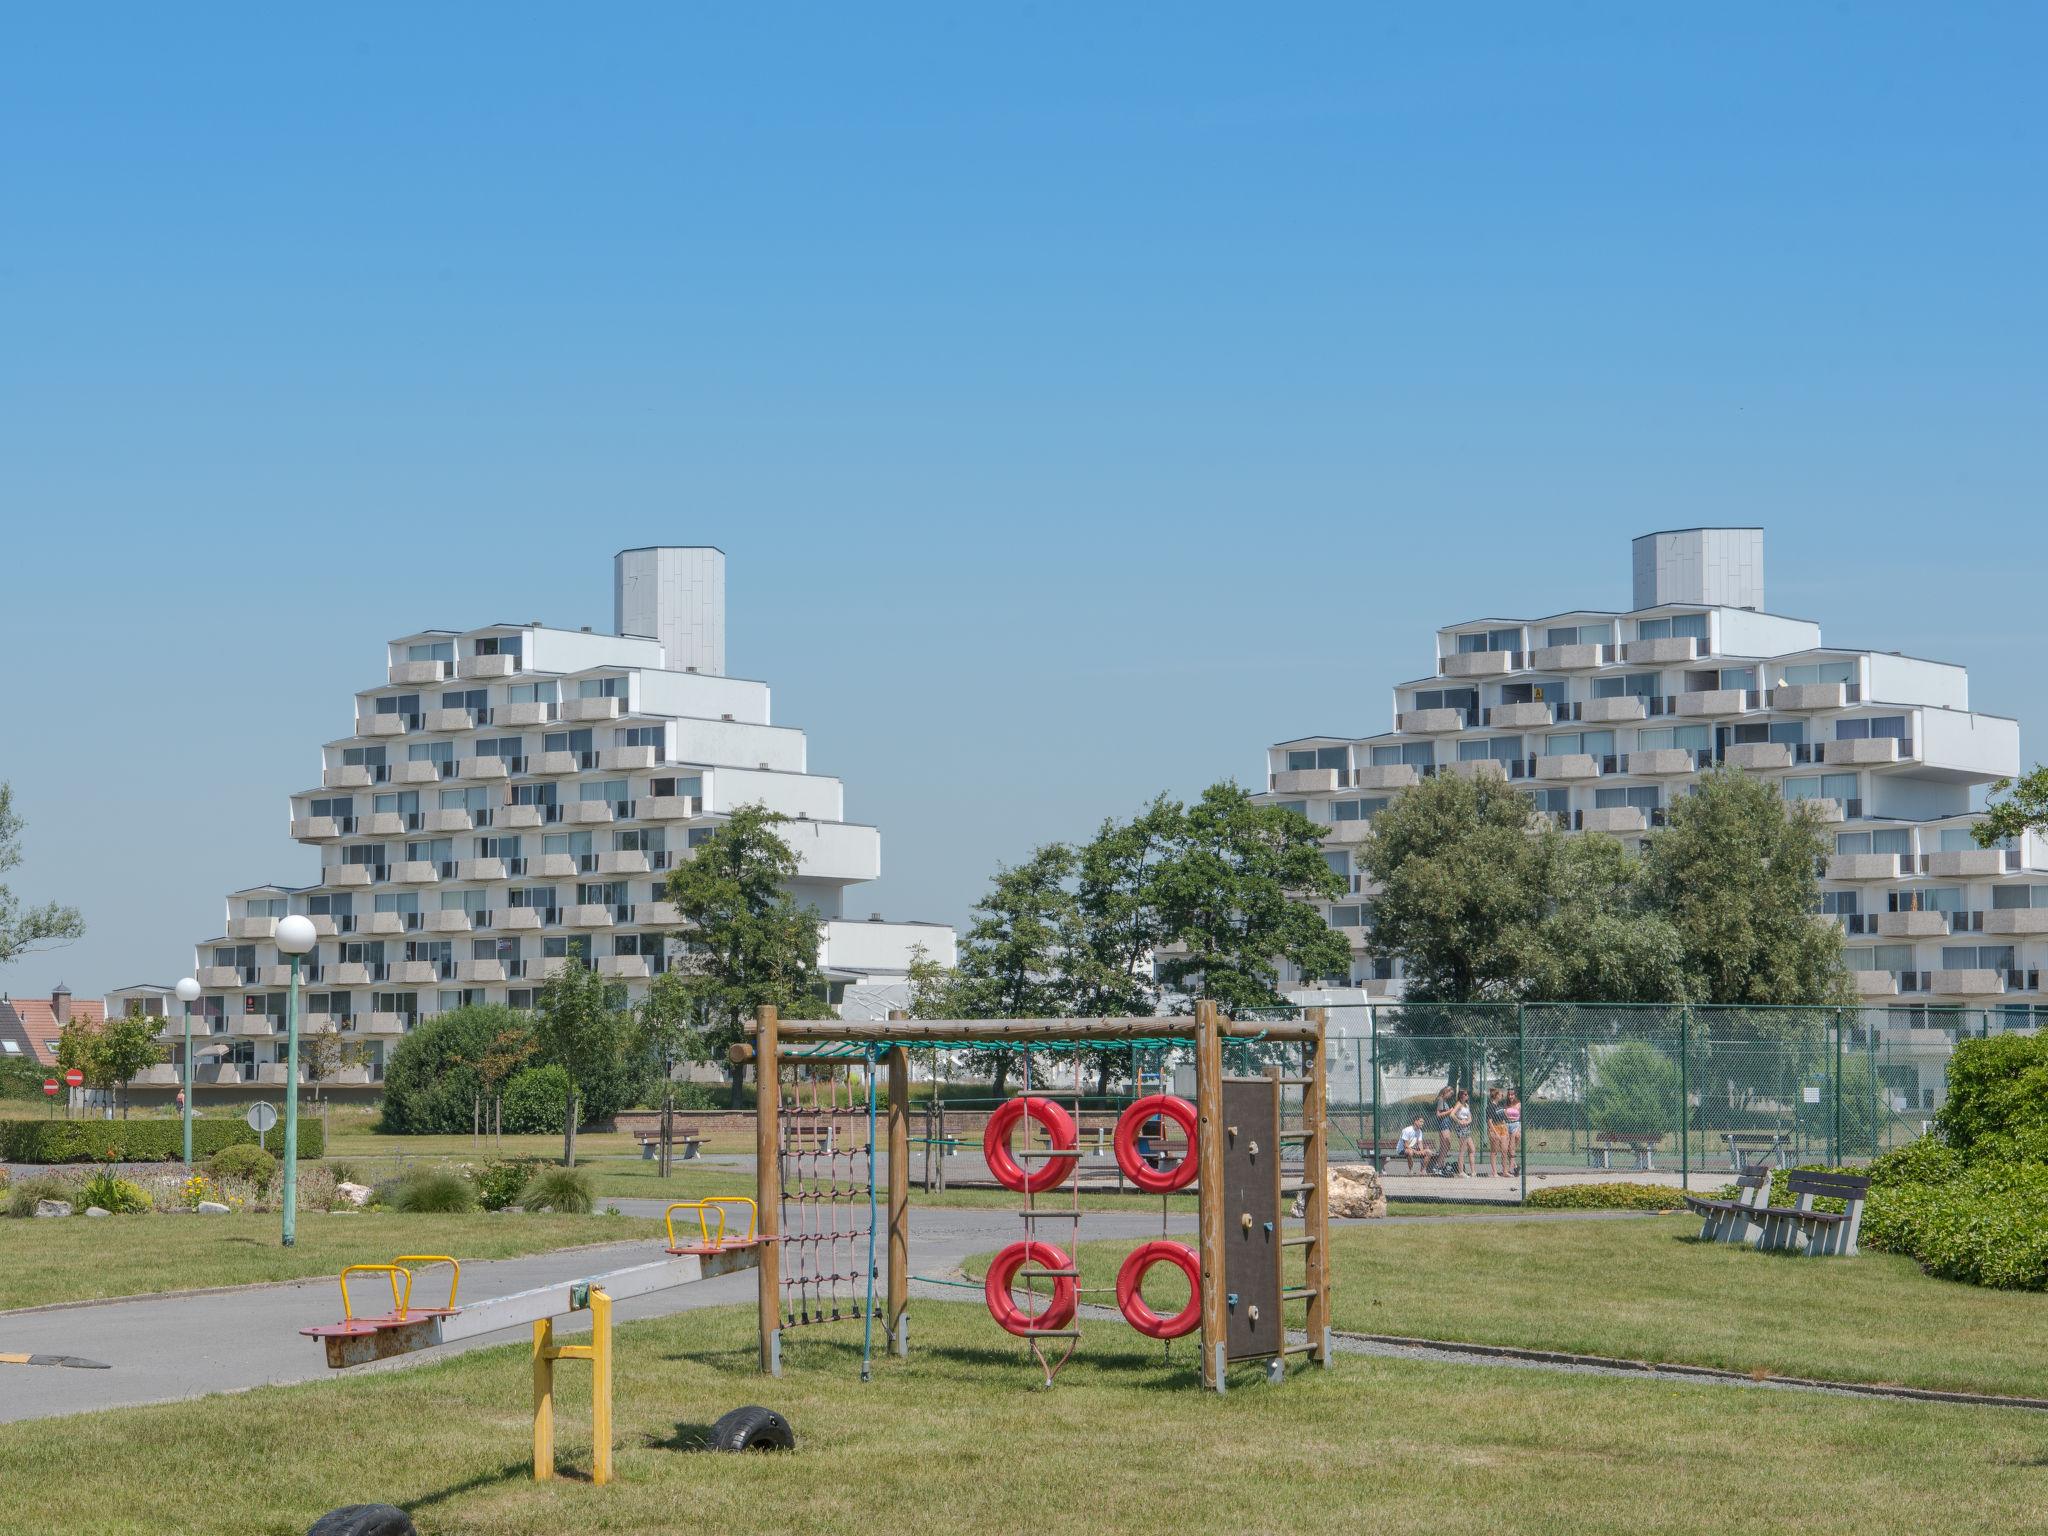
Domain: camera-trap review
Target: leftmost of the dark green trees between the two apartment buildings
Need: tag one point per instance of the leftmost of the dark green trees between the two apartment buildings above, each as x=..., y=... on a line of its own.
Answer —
x=1017, y=951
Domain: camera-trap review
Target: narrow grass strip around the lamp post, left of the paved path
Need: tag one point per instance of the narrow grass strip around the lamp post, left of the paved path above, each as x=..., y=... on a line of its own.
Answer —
x=130, y=1256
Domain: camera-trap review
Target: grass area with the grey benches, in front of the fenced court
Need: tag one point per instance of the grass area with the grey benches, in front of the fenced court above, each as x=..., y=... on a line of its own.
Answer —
x=1648, y=1291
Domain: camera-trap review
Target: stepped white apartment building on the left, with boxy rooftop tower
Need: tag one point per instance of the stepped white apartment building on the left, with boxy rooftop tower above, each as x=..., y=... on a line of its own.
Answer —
x=515, y=796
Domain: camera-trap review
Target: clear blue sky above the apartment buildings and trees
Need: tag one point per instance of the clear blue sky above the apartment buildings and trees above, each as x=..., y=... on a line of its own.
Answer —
x=1084, y=398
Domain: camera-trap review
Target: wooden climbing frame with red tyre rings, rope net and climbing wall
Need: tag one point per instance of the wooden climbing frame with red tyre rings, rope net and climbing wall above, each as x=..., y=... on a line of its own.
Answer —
x=824, y=1215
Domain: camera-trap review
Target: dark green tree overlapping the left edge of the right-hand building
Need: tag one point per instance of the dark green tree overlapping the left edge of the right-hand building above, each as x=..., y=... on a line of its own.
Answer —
x=1234, y=896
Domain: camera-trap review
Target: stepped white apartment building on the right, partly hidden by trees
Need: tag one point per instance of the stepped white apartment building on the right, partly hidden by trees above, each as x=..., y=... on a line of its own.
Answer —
x=1605, y=718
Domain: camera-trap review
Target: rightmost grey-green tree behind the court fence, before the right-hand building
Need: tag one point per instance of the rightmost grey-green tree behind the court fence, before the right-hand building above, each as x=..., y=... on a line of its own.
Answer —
x=1736, y=873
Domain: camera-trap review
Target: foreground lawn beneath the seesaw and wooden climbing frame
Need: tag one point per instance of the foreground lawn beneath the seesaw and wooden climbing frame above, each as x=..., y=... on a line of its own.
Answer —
x=955, y=1441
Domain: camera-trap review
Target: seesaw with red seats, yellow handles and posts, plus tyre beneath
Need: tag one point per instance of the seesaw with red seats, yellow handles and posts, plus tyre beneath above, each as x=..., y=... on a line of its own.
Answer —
x=409, y=1328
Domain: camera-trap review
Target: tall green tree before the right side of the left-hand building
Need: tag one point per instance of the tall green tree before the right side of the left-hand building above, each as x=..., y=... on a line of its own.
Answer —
x=751, y=943
